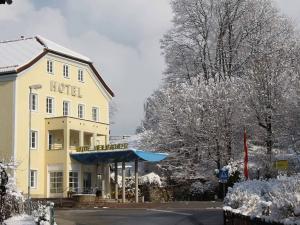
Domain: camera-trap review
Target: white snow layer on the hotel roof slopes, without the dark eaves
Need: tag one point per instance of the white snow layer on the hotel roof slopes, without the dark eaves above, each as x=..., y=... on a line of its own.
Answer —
x=15, y=54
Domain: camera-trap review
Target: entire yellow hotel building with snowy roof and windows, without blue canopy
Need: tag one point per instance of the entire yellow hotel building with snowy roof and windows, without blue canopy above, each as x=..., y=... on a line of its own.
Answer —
x=69, y=107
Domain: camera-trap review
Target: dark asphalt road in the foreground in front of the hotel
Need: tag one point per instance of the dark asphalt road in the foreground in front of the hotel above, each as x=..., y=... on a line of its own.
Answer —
x=140, y=217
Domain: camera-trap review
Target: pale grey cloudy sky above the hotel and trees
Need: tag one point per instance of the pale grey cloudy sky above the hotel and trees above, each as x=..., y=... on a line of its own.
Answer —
x=120, y=36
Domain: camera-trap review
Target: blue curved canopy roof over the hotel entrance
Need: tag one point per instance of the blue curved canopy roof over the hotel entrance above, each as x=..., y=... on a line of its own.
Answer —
x=111, y=156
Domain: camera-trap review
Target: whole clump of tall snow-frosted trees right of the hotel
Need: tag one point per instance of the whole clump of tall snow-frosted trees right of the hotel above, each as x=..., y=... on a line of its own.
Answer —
x=230, y=64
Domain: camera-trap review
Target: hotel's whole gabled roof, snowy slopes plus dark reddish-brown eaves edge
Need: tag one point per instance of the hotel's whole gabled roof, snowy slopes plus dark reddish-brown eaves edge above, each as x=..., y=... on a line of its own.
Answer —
x=18, y=55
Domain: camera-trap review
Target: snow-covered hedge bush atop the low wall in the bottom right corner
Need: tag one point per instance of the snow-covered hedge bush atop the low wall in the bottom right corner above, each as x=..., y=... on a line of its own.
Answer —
x=274, y=199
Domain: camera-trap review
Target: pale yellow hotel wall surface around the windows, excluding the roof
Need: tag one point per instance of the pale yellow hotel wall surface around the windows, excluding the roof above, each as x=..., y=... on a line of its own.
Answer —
x=66, y=132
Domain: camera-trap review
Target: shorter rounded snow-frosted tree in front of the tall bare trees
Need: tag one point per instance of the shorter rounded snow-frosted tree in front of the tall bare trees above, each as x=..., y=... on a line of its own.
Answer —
x=195, y=123
